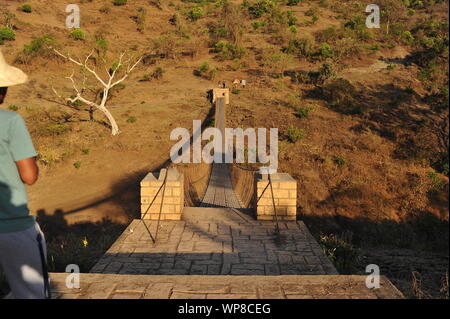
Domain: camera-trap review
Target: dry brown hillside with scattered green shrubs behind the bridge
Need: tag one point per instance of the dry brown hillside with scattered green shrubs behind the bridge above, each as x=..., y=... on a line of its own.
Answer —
x=362, y=113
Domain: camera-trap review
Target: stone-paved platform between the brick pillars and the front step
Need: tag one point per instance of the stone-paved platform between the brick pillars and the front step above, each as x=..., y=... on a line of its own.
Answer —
x=215, y=241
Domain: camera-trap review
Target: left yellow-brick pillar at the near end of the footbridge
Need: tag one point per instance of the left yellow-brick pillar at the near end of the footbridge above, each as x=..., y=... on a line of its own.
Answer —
x=152, y=190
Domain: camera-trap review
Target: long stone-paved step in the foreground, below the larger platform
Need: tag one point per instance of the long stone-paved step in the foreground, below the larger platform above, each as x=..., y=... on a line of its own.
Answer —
x=101, y=286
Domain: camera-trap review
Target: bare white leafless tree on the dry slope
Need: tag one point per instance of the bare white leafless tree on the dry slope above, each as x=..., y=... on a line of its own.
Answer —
x=106, y=85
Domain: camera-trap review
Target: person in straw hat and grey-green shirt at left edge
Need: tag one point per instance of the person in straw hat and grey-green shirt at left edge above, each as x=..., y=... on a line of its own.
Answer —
x=22, y=243
